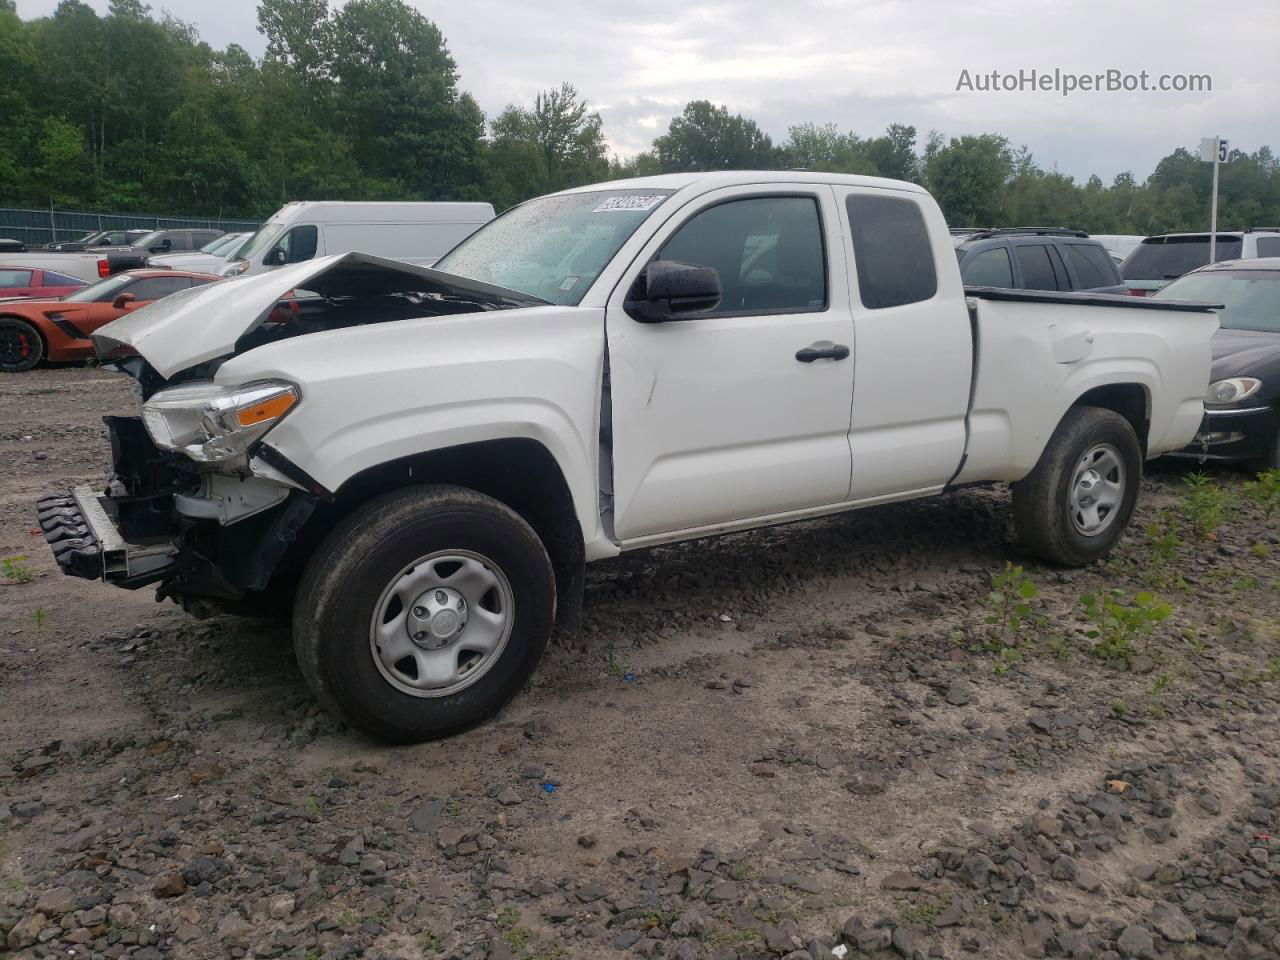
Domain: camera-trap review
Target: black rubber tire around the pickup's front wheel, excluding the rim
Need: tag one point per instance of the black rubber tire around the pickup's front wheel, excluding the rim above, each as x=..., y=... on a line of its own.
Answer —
x=346, y=579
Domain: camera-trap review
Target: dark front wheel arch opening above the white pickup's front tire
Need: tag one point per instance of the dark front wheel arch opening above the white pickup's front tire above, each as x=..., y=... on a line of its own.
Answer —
x=520, y=473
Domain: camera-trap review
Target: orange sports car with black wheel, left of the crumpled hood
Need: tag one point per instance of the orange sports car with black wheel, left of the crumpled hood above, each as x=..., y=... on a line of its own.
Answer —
x=60, y=328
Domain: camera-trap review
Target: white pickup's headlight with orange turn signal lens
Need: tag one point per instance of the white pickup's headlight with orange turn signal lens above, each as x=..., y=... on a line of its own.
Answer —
x=214, y=424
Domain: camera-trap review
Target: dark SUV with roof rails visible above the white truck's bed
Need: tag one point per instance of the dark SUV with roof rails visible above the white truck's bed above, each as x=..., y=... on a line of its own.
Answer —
x=1036, y=259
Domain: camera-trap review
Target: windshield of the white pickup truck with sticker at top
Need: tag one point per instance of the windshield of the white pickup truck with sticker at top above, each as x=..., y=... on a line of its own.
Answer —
x=554, y=248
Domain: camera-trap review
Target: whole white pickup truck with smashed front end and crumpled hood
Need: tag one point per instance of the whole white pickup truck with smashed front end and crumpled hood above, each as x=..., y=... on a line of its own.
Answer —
x=422, y=461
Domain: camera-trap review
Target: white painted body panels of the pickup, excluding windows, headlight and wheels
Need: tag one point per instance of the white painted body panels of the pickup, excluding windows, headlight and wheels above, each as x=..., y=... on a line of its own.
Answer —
x=714, y=424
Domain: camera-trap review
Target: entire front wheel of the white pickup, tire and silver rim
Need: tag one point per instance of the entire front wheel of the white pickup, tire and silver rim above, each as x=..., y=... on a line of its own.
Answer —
x=424, y=612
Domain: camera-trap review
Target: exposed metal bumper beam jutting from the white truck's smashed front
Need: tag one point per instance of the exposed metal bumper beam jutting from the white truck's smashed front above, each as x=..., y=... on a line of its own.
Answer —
x=86, y=542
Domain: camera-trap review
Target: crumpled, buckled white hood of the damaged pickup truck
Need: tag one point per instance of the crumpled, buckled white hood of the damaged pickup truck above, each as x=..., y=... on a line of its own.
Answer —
x=204, y=323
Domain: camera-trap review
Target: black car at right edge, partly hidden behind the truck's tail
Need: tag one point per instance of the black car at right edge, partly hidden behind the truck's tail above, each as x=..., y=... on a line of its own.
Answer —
x=1242, y=408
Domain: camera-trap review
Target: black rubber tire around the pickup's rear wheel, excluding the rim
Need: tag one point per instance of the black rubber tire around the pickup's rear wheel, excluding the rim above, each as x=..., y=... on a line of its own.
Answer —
x=1043, y=506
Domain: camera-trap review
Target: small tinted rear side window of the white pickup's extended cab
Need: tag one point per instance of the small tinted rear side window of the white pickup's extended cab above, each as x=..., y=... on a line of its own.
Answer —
x=892, y=250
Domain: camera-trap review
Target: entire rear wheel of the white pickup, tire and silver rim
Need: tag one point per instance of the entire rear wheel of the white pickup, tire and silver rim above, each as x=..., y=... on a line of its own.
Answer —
x=1073, y=508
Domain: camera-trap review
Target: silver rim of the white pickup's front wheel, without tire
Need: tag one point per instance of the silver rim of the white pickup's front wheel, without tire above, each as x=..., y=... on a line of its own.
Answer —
x=442, y=624
